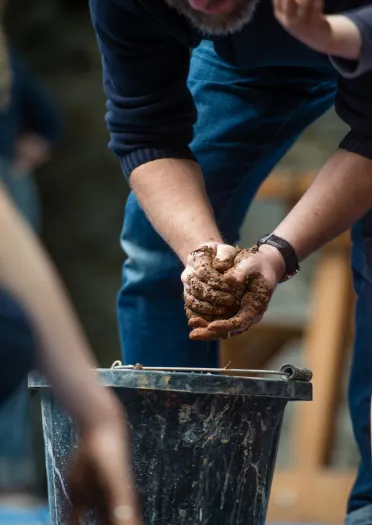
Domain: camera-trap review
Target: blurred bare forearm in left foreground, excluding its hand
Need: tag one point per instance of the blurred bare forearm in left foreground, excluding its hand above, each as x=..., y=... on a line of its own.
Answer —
x=64, y=354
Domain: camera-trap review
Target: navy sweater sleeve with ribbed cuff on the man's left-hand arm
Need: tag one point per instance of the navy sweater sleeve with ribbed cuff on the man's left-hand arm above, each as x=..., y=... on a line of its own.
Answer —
x=150, y=109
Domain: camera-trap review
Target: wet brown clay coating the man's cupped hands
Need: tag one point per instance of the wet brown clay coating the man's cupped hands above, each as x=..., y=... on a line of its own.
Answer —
x=214, y=313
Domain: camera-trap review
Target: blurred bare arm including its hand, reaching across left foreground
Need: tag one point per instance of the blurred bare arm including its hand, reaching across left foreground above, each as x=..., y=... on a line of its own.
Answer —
x=66, y=359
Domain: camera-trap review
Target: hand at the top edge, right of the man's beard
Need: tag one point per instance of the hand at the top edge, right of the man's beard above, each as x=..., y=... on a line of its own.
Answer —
x=304, y=20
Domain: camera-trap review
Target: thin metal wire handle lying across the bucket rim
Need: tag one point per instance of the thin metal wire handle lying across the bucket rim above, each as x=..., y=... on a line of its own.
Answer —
x=287, y=371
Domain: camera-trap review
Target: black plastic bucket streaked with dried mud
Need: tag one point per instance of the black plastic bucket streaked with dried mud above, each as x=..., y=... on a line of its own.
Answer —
x=203, y=445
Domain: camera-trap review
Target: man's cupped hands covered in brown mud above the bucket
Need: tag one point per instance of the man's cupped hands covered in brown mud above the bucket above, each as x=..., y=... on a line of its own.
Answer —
x=224, y=296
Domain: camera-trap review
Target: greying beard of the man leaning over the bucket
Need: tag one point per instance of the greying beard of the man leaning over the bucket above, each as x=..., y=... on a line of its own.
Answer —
x=220, y=24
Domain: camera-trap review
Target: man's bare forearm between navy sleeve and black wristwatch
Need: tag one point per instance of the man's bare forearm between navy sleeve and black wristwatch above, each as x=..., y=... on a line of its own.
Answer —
x=340, y=195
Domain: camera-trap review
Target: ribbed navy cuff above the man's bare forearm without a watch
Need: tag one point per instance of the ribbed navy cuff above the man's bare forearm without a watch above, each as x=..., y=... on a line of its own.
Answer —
x=142, y=156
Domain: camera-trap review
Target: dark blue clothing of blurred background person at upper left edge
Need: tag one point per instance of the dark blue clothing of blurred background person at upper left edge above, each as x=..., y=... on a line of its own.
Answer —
x=30, y=109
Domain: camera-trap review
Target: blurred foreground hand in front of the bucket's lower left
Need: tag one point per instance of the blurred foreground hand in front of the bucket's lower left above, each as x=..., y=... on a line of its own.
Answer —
x=100, y=477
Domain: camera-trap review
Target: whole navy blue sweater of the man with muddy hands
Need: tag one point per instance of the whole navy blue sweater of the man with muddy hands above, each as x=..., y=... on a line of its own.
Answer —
x=145, y=49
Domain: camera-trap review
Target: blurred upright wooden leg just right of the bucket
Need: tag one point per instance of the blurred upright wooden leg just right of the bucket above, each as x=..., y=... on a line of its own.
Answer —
x=324, y=353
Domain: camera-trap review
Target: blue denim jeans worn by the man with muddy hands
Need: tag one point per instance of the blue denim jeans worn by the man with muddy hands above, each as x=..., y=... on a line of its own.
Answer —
x=247, y=120
